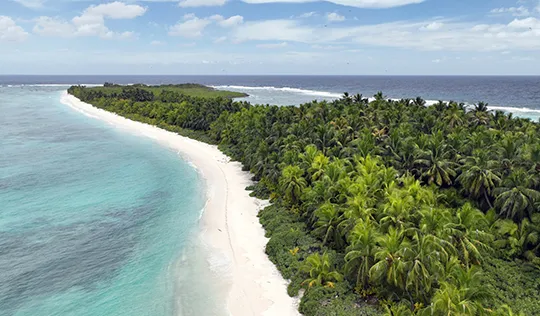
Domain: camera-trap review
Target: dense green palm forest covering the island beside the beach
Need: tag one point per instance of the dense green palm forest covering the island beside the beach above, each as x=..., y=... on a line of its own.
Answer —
x=381, y=207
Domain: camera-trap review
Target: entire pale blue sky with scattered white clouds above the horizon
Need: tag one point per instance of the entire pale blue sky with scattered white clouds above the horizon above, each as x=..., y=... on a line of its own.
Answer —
x=334, y=37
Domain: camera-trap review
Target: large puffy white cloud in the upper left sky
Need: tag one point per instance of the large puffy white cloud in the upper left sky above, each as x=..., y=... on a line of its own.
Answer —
x=91, y=22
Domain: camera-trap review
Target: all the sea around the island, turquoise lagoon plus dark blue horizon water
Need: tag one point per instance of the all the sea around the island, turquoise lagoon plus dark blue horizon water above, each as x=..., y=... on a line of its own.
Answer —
x=96, y=221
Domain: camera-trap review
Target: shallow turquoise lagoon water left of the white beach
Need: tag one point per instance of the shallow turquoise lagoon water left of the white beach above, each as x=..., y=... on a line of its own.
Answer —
x=93, y=220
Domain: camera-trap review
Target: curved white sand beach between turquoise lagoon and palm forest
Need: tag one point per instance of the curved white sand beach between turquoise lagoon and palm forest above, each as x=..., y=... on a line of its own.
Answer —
x=229, y=223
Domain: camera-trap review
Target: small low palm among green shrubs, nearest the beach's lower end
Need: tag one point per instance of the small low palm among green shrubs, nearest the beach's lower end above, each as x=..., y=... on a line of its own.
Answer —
x=320, y=271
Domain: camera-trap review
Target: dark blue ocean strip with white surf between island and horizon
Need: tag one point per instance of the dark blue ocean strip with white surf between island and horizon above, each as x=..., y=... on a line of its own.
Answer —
x=511, y=93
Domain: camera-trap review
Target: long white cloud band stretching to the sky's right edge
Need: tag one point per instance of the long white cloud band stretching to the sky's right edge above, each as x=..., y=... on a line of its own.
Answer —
x=520, y=34
